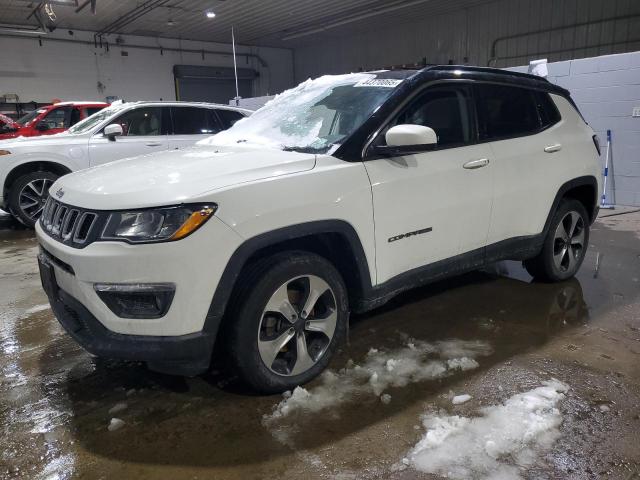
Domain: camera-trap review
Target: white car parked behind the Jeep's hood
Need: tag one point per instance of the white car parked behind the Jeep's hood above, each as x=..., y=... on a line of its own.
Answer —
x=29, y=166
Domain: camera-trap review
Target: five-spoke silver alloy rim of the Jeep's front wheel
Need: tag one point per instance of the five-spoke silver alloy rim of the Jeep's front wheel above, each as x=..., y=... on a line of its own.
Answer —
x=297, y=325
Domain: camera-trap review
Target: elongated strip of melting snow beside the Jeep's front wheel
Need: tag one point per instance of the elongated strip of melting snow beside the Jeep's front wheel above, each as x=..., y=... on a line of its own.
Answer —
x=415, y=362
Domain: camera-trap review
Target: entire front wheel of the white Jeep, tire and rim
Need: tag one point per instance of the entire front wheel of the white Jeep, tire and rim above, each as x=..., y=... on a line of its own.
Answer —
x=289, y=316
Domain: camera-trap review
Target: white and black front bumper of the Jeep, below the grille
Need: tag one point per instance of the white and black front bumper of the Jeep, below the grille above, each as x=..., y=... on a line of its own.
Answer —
x=178, y=342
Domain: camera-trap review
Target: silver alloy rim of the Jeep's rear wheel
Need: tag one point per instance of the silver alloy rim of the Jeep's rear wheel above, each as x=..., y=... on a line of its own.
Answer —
x=568, y=244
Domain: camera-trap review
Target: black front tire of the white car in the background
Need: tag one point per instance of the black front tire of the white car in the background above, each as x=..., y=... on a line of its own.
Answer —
x=20, y=188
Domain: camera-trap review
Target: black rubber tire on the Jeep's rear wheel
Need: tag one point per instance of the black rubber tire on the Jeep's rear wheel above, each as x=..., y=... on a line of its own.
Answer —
x=544, y=266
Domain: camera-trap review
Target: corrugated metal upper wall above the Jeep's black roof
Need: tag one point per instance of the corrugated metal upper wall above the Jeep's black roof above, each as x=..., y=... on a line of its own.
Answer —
x=512, y=31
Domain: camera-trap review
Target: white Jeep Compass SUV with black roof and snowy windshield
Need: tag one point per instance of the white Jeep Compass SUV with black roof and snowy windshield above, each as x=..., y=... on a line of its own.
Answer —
x=332, y=198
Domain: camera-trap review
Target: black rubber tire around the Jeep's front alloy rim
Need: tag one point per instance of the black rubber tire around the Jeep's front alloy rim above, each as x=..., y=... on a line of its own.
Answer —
x=257, y=285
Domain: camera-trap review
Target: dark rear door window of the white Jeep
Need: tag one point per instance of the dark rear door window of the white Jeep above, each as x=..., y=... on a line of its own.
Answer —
x=506, y=111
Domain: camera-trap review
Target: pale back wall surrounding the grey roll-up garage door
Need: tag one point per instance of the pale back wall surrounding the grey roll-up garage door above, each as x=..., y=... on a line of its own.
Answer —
x=77, y=71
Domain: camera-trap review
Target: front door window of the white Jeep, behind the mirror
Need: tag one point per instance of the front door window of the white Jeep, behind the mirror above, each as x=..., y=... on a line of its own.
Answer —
x=445, y=109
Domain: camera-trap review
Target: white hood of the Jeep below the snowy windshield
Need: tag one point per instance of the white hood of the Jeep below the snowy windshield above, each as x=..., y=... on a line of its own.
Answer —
x=174, y=177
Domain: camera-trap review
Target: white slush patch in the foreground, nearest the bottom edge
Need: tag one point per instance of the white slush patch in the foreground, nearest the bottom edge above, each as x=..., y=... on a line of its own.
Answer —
x=495, y=445
